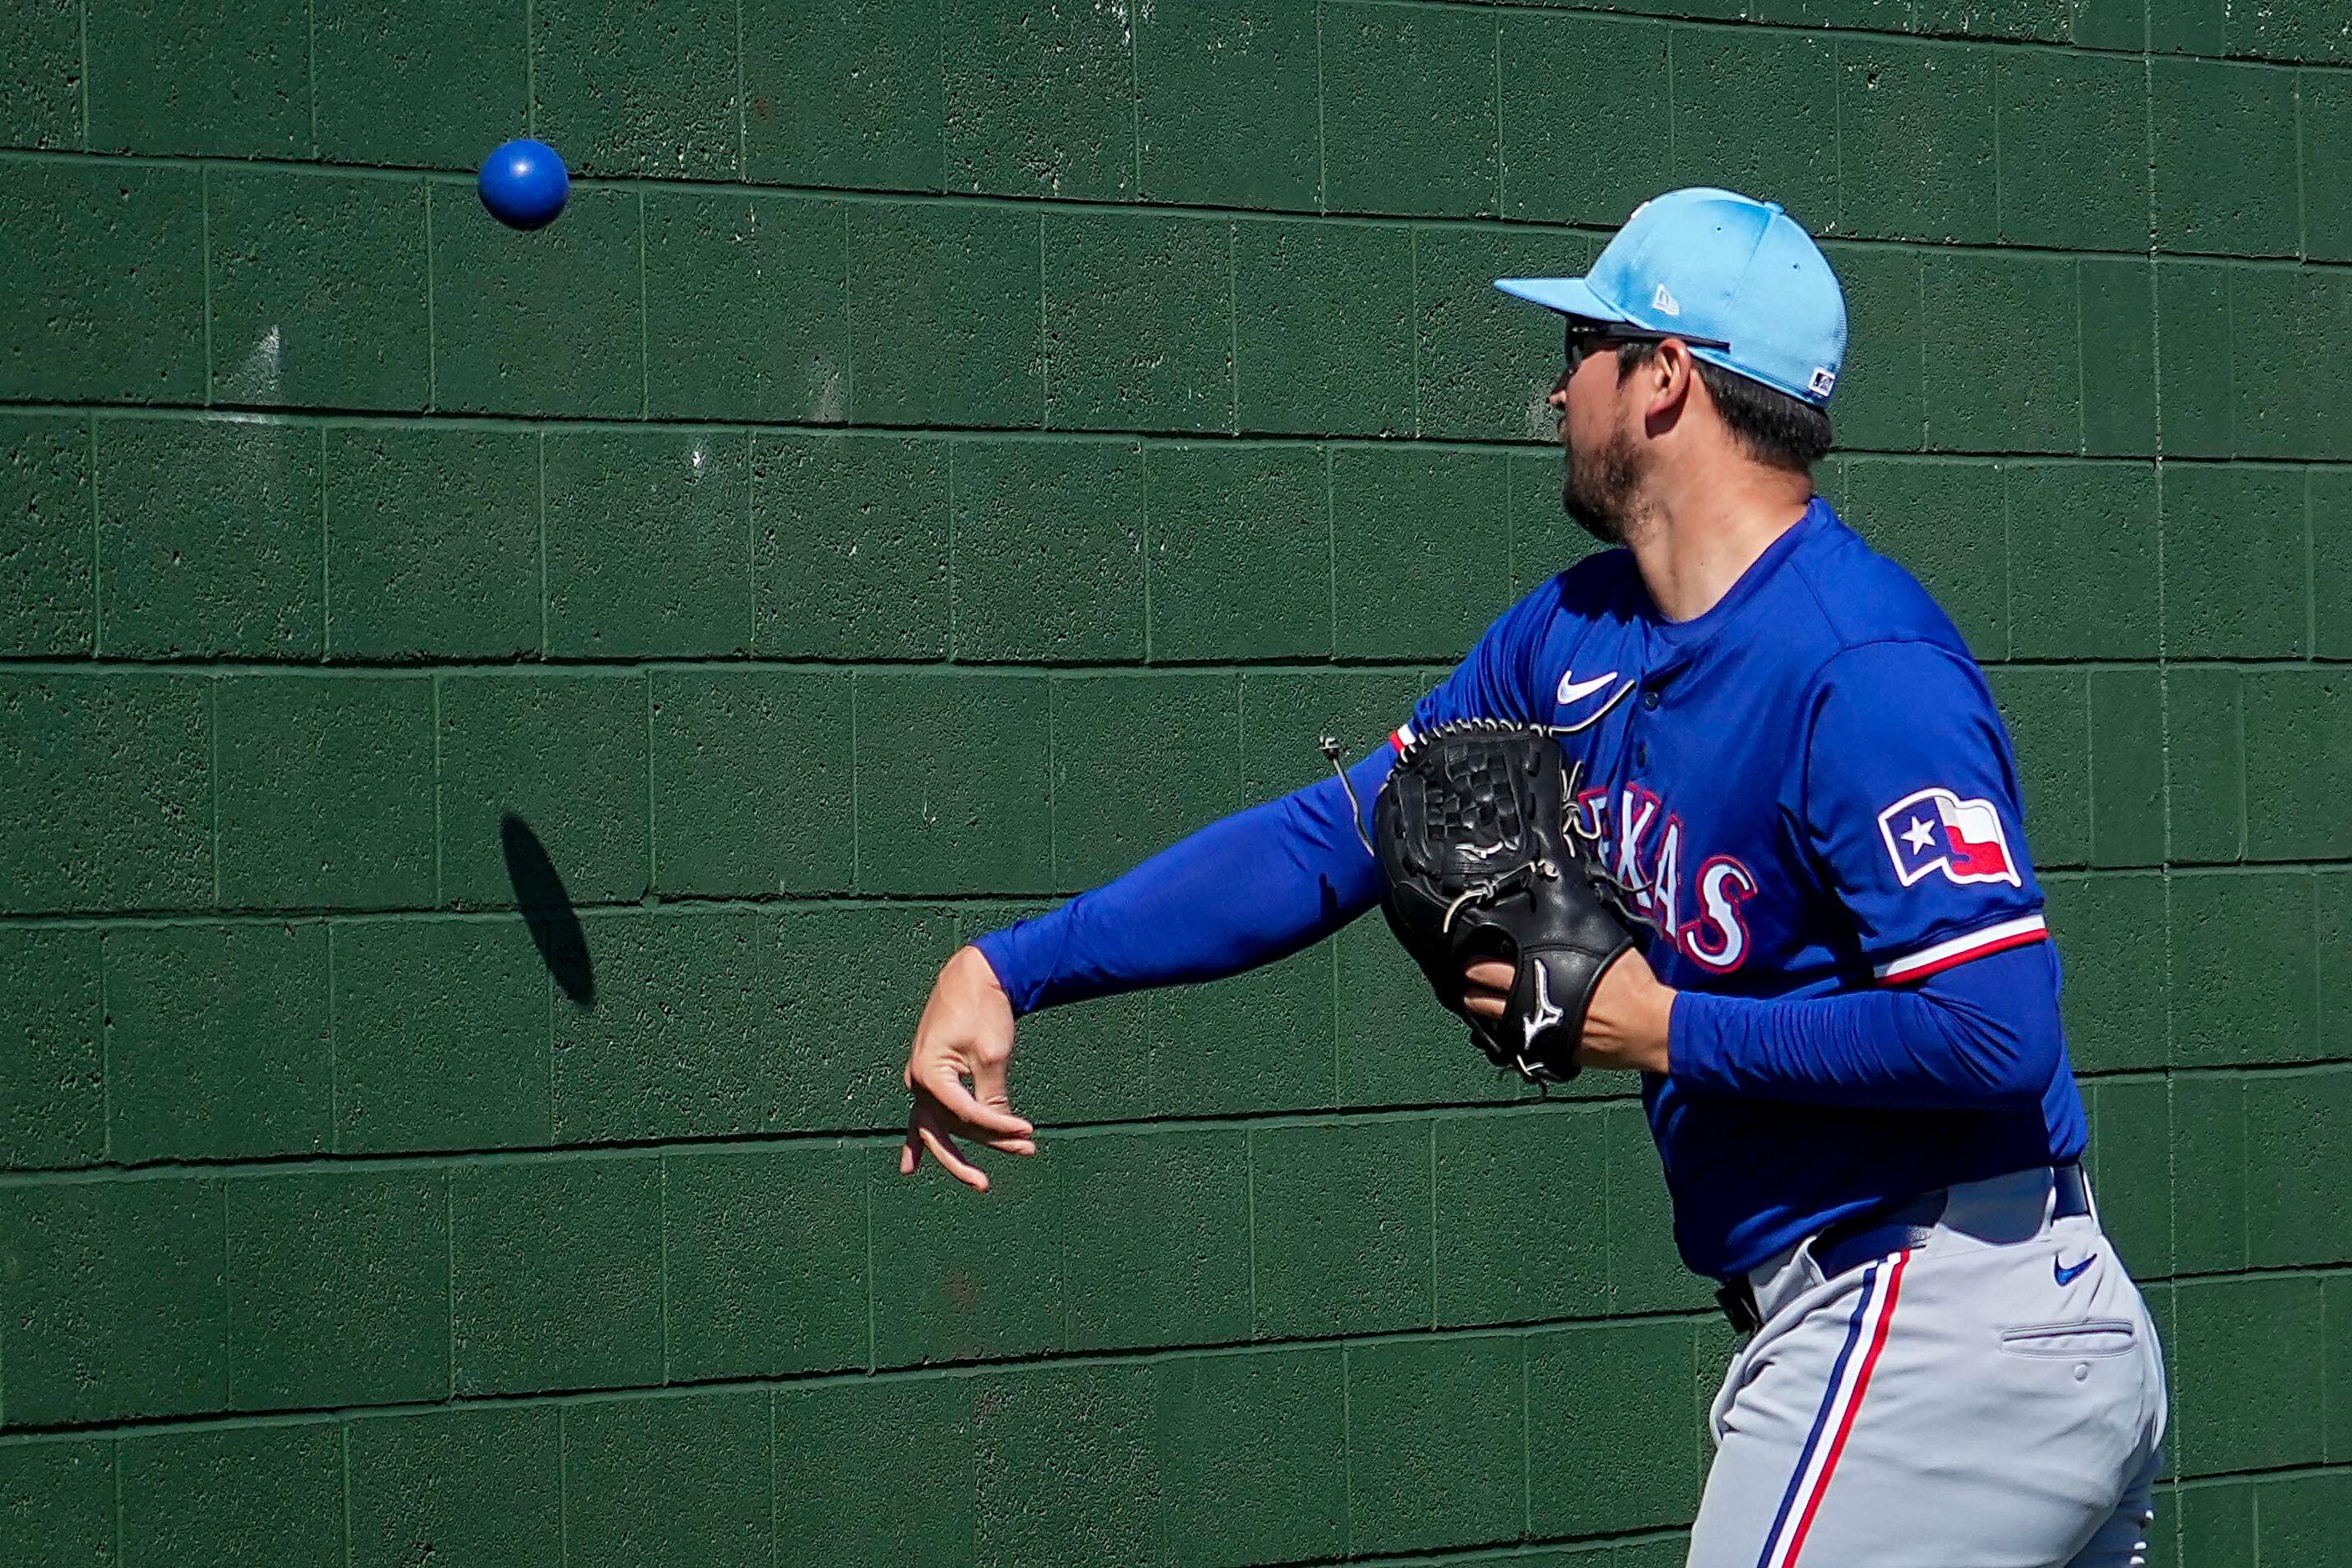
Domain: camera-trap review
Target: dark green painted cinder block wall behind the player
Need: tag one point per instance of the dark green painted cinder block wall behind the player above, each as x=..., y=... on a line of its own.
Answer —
x=502, y=728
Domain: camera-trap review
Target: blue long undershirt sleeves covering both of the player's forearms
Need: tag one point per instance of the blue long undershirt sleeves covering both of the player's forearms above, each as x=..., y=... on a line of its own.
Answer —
x=1276, y=878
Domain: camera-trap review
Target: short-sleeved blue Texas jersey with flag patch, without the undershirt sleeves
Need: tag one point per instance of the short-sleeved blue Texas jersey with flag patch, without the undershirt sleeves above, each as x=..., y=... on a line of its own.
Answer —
x=1812, y=791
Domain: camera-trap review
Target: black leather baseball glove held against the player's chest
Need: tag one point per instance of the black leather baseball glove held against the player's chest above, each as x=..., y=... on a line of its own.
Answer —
x=1483, y=857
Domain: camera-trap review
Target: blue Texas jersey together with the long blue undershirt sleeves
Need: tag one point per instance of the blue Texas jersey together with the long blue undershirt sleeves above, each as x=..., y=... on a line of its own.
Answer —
x=1819, y=808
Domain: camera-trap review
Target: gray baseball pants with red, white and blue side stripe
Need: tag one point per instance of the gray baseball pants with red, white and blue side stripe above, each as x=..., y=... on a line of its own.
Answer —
x=1986, y=1400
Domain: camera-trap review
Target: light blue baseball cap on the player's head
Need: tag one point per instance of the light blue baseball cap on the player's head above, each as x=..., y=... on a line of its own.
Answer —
x=1716, y=264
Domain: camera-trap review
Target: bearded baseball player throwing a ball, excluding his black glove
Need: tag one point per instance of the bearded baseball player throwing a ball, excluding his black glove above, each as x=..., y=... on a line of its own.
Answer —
x=1845, y=1010
